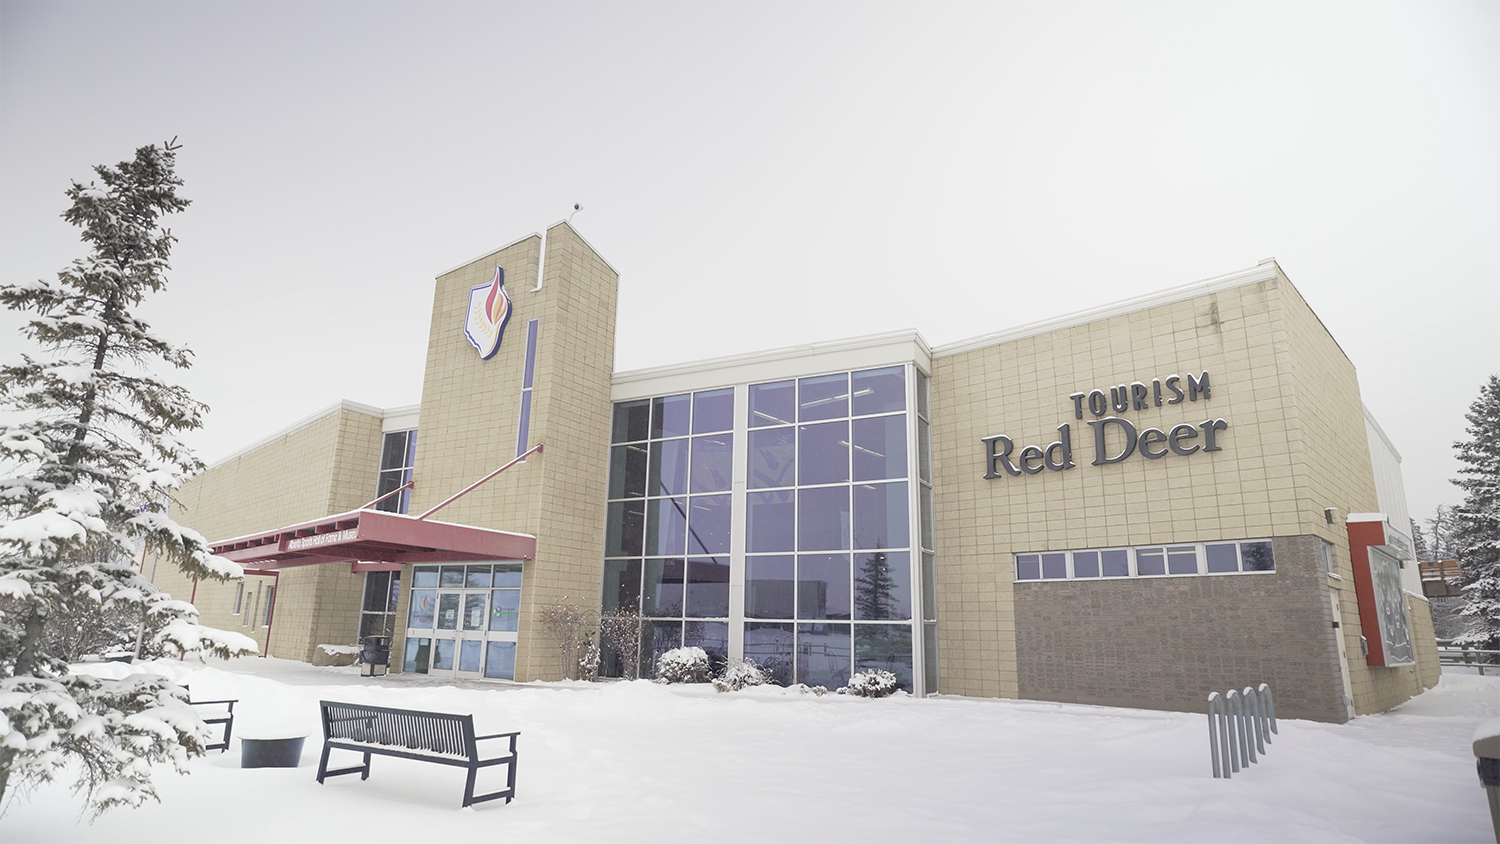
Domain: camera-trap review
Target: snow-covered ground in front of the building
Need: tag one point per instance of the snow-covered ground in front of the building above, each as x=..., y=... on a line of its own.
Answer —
x=640, y=762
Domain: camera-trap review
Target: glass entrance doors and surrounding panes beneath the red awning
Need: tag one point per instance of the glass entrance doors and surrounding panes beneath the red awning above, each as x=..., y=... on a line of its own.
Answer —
x=463, y=621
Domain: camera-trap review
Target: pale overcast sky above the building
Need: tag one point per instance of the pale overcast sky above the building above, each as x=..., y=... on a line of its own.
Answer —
x=769, y=175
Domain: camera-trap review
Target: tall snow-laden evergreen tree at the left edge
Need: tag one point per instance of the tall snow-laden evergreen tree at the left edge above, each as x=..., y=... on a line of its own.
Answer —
x=86, y=482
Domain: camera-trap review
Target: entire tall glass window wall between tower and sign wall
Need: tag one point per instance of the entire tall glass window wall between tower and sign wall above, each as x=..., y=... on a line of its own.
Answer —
x=832, y=525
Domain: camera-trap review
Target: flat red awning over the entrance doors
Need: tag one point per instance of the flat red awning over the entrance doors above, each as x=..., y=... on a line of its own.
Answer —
x=386, y=540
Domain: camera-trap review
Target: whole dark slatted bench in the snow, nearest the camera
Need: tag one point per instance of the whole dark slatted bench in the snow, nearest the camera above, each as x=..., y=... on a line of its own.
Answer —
x=407, y=734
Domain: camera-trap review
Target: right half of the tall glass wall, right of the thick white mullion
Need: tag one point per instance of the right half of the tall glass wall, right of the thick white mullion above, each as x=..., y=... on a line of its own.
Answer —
x=829, y=528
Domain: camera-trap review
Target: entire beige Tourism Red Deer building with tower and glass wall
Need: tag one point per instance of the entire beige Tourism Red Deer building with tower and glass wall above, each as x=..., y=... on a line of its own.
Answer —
x=1127, y=506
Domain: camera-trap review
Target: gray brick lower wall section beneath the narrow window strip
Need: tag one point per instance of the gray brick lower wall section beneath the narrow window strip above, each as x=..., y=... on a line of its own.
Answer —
x=1165, y=644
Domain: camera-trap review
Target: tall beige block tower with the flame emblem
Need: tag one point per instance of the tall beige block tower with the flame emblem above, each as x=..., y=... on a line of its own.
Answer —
x=470, y=415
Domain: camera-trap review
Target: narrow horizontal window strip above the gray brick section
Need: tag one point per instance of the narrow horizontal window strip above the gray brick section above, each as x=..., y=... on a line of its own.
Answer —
x=1243, y=557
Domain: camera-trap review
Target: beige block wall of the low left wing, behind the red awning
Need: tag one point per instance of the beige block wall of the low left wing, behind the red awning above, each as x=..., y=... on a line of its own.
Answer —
x=319, y=470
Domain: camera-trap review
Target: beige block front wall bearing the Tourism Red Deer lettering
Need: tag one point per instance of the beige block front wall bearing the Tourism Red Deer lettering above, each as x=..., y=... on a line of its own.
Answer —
x=1021, y=389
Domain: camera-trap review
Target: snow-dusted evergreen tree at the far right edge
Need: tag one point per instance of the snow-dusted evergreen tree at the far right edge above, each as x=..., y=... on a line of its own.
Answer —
x=1478, y=518
